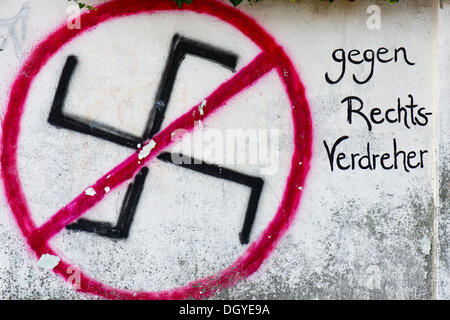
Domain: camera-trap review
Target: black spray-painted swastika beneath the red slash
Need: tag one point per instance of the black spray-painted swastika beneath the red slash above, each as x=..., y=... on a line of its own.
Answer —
x=180, y=47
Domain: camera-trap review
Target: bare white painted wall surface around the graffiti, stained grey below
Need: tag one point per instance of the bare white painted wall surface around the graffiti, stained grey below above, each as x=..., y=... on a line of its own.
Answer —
x=358, y=233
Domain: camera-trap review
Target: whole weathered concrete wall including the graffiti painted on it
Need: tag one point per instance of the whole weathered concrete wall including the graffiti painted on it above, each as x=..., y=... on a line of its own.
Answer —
x=356, y=233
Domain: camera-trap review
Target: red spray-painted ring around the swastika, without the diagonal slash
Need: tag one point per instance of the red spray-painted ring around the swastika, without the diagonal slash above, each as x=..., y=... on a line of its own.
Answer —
x=252, y=258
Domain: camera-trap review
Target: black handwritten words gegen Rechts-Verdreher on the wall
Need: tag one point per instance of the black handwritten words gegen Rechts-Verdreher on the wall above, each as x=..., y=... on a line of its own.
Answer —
x=405, y=114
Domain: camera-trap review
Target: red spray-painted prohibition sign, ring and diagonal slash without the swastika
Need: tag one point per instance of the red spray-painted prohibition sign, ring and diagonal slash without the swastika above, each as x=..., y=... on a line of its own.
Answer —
x=272, y=56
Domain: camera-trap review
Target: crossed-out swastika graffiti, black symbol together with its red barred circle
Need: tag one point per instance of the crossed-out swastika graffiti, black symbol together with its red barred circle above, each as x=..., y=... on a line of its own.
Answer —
x=271, y=57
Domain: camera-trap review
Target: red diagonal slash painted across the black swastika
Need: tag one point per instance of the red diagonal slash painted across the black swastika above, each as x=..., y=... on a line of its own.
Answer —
x=262, y=64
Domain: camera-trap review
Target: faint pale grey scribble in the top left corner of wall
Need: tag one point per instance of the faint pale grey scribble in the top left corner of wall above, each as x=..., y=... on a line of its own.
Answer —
x=10, y=24
